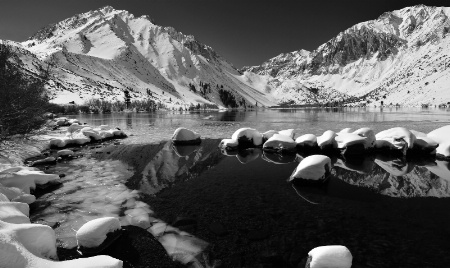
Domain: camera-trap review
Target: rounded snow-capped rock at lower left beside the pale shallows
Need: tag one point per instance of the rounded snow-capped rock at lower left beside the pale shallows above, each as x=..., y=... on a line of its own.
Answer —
x=93, y=233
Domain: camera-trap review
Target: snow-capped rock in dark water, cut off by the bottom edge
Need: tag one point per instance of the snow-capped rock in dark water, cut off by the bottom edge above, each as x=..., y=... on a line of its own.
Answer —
x=330, y=257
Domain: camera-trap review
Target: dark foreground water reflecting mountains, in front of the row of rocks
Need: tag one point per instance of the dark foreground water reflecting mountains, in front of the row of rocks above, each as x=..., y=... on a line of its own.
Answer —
x=241, y=204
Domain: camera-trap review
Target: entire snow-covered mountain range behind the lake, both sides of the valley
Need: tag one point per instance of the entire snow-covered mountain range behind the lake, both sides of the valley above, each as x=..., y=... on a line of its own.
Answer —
x=402, y=57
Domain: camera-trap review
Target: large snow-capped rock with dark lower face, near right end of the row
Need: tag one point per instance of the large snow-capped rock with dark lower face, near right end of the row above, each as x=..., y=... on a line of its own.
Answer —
x=398, y=138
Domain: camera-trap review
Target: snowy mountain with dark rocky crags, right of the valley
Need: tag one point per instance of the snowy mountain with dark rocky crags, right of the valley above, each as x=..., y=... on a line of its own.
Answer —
x=401, y=57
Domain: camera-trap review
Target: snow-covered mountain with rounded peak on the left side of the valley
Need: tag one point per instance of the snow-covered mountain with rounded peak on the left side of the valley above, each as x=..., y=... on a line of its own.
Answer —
x=101, y=53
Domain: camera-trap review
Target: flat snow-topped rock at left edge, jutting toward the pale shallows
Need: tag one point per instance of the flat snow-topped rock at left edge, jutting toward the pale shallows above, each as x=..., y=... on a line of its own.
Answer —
x=27, y=180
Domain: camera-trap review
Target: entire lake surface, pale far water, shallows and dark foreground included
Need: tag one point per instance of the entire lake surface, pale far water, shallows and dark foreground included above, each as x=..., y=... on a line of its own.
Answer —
x=238, y=209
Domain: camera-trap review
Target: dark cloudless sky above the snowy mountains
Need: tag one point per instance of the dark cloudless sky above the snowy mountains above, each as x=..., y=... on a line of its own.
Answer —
x=245, y=32
